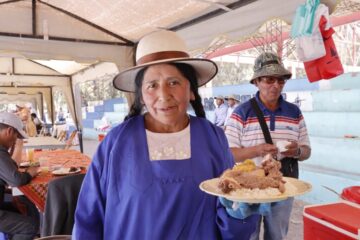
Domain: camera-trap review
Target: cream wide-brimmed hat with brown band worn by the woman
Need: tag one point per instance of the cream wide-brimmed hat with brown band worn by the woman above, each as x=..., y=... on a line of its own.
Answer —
x=163, y=47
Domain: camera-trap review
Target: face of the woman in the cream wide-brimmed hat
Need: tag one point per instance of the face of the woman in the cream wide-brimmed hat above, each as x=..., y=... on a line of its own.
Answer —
x=166, y=94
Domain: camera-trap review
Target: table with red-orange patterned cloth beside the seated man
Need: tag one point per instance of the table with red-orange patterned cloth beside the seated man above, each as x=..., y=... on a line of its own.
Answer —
x=36, y=190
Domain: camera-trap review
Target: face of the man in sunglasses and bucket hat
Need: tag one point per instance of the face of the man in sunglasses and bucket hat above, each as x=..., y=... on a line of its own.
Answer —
x=270, y=88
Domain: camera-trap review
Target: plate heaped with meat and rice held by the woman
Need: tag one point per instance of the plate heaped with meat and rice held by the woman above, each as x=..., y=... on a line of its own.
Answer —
x=247, y=183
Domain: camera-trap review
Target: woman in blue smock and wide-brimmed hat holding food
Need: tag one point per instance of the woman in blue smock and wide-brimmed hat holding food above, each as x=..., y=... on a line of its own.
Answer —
x=143, y=182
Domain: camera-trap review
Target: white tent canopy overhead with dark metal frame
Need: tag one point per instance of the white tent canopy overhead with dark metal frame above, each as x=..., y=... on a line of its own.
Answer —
x=90, y=32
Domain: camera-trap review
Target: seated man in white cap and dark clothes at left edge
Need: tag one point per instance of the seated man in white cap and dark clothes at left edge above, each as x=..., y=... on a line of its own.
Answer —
x=11, y=222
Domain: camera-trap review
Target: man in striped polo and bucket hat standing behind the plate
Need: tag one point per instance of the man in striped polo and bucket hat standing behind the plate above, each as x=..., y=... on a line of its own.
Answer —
x=285, y=122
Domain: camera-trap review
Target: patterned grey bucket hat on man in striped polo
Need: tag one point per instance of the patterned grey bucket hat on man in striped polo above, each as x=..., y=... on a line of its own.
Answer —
x=269, y=64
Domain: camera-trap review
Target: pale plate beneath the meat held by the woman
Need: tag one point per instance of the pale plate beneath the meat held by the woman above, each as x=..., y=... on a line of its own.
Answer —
x=293, y=187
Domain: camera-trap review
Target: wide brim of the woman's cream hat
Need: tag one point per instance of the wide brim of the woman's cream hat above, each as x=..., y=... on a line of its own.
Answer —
x=205, y=69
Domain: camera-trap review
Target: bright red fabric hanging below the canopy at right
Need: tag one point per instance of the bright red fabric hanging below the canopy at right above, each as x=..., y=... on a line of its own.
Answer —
x=329, y=66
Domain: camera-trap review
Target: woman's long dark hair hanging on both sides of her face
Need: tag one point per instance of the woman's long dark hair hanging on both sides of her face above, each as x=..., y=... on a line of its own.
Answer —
x=188, y=72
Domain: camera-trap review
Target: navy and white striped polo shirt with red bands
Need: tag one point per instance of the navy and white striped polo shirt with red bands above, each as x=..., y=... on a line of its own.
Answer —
x=285, y=123
